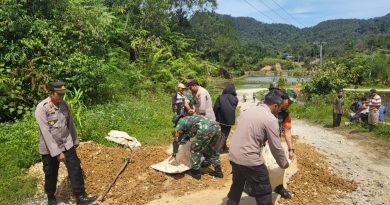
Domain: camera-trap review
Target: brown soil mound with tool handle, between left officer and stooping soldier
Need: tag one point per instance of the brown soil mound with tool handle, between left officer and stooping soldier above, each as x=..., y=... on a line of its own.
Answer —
x=138, y=184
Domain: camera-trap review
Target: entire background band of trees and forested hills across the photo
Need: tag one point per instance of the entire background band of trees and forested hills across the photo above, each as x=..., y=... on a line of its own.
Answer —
x=107, y=47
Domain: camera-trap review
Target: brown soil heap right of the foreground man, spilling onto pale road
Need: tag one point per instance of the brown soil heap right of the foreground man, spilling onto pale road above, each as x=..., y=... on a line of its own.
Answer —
x=315, y=183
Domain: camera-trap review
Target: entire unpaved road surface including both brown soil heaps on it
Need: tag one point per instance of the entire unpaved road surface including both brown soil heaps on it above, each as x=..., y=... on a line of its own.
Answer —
x=350, y=168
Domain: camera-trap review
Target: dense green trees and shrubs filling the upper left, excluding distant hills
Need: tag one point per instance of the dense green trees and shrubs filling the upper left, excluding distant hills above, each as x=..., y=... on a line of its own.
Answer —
x=103, y=47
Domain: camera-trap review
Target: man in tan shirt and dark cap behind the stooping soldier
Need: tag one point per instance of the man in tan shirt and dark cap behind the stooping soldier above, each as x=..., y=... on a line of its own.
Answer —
x=203, y=103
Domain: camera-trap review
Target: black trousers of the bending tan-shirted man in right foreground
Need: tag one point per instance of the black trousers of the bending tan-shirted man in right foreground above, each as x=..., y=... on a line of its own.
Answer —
x=256, y=177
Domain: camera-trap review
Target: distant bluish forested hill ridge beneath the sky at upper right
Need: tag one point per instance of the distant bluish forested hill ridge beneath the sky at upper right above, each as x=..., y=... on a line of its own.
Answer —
x=334, y=32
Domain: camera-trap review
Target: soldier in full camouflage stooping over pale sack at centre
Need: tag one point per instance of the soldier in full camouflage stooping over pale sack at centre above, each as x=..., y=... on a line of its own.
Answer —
x=207, y=136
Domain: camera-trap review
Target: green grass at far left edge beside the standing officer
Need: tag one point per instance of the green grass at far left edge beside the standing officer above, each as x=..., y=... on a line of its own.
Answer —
x=18, y=150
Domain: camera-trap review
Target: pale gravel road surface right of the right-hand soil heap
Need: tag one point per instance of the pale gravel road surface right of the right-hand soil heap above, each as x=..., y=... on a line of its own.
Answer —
x=355, y=156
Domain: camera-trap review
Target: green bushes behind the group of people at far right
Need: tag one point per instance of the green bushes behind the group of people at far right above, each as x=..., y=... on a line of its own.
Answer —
x=355, y=69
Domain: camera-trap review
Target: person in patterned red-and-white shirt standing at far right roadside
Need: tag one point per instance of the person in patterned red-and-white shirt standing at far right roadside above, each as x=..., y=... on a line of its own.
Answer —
x=374, y=104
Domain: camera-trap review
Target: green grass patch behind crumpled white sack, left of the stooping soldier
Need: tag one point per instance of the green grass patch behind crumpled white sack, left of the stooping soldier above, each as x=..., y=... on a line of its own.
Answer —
x=146, y=118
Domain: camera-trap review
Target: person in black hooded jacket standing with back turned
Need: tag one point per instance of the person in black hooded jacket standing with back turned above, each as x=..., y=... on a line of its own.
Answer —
x=225, y=112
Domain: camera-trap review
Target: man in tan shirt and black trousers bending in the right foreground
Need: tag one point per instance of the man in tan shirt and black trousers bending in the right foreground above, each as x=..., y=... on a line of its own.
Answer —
x=255, y=126
